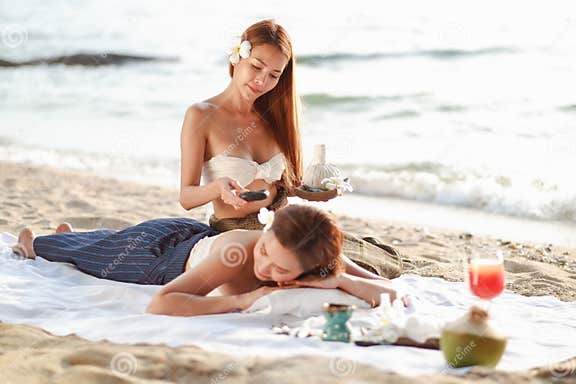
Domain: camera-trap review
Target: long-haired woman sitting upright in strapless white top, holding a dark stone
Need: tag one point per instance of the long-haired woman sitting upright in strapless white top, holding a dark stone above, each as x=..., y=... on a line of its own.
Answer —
x=247, y=138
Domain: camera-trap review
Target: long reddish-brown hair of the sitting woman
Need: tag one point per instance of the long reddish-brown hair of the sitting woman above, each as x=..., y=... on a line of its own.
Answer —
x=281, y=106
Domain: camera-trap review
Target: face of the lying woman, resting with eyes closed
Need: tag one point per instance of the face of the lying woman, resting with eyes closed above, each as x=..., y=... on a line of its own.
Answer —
x=273, y=262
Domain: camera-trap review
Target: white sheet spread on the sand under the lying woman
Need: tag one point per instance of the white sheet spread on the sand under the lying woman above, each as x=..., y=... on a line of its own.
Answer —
x=63, y=300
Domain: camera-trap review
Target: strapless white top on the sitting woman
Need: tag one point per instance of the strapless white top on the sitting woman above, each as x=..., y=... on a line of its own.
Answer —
x=243, y=170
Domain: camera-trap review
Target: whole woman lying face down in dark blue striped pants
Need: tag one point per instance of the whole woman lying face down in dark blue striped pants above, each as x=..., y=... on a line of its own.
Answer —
x=300, y=247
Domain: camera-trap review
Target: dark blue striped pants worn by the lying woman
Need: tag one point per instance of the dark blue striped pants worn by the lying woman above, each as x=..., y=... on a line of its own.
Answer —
x=153, y=252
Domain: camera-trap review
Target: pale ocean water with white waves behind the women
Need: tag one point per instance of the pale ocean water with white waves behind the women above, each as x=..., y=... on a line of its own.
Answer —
x=435, y=104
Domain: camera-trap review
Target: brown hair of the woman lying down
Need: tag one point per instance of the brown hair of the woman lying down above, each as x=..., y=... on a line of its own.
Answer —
x=313, y=236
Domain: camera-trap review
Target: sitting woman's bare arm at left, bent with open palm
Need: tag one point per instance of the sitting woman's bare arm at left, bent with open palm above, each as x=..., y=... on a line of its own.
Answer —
x=193, y=147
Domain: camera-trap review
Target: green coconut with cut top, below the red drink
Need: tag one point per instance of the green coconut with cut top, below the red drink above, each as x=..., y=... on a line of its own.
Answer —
x=472, y=340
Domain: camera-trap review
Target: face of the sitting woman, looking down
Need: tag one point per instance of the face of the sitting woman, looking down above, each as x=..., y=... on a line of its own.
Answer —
x=259, y=73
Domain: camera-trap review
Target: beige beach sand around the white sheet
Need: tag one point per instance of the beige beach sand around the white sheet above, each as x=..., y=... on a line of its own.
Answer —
x=41, y=198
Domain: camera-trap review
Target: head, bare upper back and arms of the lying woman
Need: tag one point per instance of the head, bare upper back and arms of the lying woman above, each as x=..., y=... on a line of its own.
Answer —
x=302, y=248
